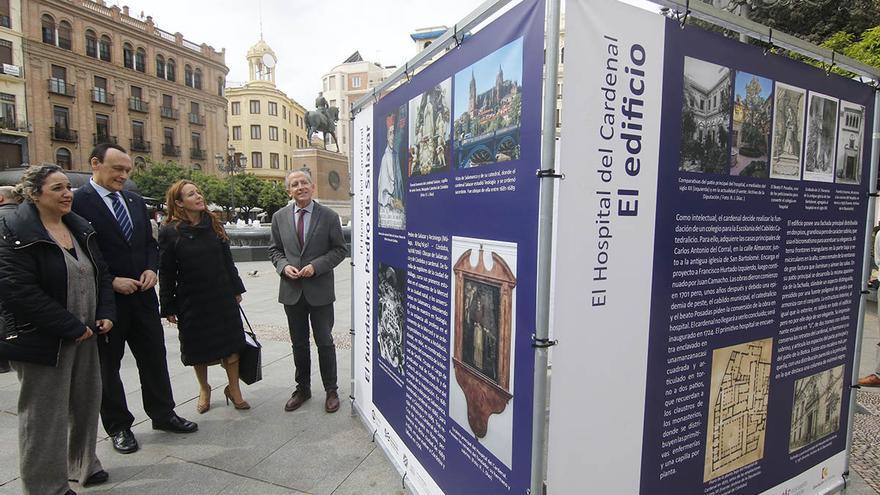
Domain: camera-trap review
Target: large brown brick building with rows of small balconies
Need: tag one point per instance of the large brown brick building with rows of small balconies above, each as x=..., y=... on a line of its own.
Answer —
x=96, y=74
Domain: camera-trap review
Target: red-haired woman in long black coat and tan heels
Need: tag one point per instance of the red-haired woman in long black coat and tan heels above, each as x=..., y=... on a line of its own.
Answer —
x=199, y=290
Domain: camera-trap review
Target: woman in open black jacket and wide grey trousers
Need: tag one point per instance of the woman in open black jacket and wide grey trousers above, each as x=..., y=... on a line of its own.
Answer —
x=57, y=296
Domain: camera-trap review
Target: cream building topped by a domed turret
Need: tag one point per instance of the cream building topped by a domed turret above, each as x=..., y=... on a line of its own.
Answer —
x=265, y=125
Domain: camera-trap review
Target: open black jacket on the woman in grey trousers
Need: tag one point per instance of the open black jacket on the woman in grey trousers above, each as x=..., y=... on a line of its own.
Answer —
x=33, y=287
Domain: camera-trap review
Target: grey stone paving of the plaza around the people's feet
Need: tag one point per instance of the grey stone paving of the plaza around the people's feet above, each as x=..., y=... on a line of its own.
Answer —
x=264, y=451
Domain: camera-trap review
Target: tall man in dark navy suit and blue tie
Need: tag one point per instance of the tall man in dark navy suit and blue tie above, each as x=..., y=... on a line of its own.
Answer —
x=126, y=241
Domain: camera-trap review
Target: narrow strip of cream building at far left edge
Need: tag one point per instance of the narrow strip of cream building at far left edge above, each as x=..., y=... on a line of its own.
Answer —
x=14, y=125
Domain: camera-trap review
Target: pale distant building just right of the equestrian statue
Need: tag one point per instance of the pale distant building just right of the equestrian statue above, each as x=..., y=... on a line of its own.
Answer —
x=347, y=83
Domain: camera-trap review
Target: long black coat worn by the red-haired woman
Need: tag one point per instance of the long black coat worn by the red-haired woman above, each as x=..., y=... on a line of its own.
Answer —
x=198, y=283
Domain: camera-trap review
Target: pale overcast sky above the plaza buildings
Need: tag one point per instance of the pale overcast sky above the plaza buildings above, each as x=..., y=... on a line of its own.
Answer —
x=379, y=29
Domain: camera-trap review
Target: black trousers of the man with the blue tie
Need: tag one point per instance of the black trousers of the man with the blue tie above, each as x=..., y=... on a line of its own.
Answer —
x=140, y=326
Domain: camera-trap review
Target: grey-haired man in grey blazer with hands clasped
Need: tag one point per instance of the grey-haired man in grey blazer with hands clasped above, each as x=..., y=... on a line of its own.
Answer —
x=305, y=246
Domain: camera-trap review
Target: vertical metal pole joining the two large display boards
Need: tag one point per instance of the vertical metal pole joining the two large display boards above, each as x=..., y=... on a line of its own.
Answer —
x=545, y=246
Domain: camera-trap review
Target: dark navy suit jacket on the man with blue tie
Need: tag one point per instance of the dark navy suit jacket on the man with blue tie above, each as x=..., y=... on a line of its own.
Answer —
x=124, y=258
